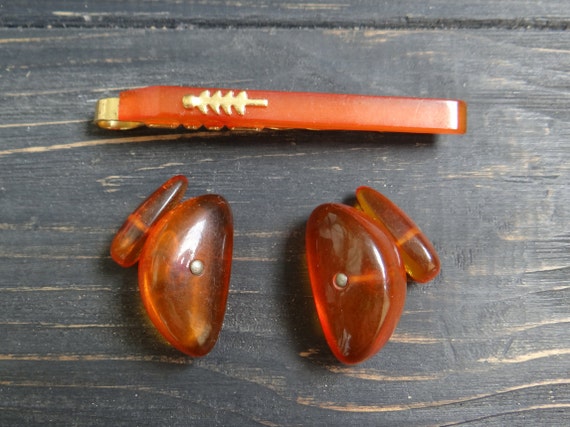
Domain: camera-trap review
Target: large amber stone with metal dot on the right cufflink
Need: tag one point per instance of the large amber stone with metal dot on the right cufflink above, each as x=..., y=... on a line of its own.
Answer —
x=357, y=278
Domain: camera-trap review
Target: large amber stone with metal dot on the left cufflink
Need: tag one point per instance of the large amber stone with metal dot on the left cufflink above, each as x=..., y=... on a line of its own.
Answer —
x=184, y=273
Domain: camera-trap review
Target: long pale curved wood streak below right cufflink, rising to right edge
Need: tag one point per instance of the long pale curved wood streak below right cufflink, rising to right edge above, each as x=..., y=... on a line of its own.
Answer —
x=310, y=401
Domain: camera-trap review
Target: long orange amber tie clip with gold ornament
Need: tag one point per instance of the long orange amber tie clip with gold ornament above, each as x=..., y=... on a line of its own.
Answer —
x=193, y=108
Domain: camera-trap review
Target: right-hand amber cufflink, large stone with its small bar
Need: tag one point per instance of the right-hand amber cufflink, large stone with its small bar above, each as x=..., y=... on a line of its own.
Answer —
x=357, y=261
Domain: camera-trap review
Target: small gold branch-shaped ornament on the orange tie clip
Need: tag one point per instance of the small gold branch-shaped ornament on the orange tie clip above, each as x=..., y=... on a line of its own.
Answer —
x=226, y=102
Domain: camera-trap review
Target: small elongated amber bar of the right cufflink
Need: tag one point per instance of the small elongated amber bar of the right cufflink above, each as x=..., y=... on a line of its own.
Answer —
x=418, y=254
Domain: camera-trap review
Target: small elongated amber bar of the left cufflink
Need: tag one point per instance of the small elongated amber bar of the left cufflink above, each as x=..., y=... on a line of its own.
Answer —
x=129, y=240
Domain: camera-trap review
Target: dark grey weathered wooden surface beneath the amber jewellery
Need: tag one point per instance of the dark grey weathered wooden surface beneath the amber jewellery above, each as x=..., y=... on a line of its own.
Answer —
x=486, y=343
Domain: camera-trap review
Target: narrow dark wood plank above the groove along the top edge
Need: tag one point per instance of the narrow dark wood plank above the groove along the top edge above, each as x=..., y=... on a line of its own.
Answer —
x=318, y=13
